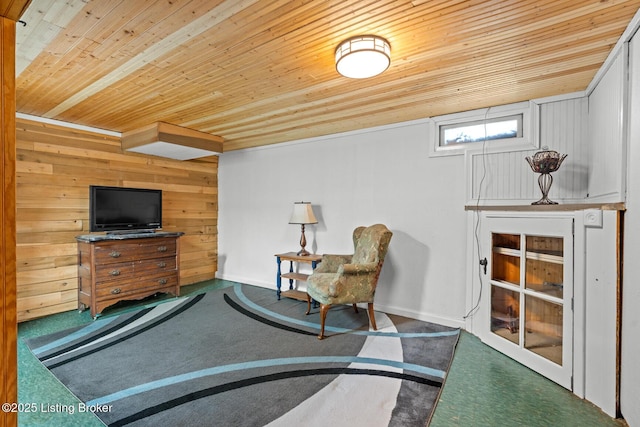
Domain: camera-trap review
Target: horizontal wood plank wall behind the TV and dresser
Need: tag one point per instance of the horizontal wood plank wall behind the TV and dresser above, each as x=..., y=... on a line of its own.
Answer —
x=56, y=165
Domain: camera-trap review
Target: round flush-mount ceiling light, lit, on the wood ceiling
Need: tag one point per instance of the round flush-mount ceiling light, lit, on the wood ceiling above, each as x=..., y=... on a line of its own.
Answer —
x=363, y=56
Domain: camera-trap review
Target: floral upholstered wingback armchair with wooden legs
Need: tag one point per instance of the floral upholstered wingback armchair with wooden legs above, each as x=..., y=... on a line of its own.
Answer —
x=350, y=279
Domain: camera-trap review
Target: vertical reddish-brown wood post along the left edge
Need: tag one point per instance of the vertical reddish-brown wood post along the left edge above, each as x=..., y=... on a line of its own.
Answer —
x=8, y=321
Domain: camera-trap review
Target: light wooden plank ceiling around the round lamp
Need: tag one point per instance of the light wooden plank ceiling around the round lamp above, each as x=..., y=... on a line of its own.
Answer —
x=259, y=72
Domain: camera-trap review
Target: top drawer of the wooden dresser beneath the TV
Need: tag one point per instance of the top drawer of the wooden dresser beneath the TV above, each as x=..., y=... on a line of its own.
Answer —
x=117, y=252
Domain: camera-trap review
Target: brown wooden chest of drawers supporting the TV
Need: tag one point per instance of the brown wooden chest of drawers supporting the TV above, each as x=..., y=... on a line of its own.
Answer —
x=126, y=268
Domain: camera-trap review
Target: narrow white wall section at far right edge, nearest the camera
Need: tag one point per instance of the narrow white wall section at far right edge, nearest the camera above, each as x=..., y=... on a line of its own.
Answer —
x=630, y=370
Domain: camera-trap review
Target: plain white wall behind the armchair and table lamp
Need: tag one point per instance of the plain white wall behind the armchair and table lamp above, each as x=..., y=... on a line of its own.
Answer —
x=381, y=175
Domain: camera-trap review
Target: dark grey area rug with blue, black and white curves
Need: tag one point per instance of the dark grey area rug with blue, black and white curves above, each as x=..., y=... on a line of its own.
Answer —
x=239, y=357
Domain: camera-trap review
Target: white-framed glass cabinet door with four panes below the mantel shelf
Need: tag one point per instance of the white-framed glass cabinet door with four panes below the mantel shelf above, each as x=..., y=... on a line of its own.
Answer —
x=529, y=305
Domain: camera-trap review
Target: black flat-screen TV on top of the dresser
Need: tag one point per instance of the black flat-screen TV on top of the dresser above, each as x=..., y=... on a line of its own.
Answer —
x=119, y=208
